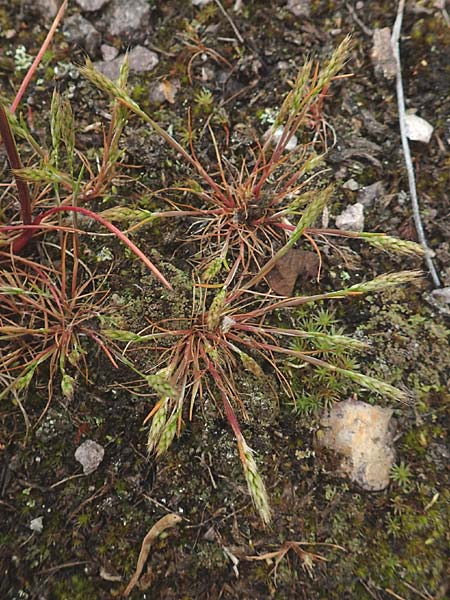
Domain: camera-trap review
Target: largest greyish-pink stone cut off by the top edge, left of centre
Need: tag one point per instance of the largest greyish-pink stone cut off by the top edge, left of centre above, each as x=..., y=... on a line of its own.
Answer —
x=126, y=18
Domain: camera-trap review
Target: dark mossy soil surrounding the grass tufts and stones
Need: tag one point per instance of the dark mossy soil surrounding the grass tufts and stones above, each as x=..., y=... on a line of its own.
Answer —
x=383, y=545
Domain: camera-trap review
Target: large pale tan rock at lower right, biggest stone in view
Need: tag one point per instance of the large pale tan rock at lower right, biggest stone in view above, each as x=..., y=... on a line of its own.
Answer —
x=362, y=434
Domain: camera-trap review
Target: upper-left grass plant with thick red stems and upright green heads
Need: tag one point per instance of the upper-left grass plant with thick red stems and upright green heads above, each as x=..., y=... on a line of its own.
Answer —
x=57, y=190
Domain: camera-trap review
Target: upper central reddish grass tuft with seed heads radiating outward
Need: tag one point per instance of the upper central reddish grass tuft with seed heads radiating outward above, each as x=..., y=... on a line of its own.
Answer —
x=247, y=213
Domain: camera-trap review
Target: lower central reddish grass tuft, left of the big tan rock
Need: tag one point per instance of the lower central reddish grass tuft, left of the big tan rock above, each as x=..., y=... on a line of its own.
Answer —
x=231, y=329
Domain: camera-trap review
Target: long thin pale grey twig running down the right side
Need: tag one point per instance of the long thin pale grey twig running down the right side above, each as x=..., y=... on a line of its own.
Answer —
x=395, y=40
